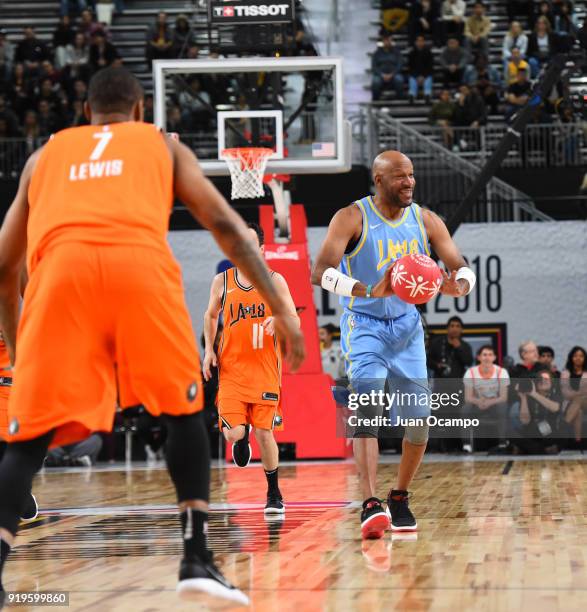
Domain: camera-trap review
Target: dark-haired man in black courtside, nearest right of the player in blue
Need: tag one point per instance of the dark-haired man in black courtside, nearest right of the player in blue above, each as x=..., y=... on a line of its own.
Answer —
x=450, y=355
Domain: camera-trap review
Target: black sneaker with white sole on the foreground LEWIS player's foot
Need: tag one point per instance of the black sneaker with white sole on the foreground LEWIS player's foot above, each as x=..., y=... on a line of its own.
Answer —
x=198, y=577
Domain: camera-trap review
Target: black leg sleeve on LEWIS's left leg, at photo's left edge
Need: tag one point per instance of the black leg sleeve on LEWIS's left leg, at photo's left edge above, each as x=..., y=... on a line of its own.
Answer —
x=22, y=460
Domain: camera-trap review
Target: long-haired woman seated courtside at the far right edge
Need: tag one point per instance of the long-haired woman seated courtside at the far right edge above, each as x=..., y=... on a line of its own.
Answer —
x=574, y=387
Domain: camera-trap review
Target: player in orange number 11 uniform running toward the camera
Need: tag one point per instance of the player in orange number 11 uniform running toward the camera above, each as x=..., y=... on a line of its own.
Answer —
x=249, y=363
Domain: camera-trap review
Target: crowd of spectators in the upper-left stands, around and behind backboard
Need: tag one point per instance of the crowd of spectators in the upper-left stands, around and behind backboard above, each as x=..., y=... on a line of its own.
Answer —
x=43, y=85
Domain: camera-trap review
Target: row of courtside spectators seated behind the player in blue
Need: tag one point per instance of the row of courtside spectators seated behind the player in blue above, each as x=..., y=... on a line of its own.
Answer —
x=528, y=407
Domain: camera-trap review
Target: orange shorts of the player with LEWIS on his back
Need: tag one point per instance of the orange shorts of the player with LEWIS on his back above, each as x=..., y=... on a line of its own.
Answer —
x=101, y=322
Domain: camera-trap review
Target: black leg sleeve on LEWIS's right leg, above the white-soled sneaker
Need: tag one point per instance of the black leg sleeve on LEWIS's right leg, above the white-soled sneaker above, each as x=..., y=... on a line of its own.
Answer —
x=188, y=456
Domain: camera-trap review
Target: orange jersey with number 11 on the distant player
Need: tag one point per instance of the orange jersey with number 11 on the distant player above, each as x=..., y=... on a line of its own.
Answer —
x=249, y=359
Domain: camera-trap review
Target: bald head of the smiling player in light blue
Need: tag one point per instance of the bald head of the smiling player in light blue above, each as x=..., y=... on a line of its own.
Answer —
x=393, y=175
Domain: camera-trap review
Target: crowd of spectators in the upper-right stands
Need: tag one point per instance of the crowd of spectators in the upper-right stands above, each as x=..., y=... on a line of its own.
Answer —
x=471, y=87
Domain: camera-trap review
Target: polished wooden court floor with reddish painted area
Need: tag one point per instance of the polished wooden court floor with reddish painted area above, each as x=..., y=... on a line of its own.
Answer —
x=494, y=535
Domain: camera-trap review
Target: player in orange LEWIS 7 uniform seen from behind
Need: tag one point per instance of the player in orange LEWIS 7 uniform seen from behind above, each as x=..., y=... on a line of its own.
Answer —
x=92, y=211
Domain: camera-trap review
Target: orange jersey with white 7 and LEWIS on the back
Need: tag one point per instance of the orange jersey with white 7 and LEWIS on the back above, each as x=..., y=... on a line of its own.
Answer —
x=93, y=184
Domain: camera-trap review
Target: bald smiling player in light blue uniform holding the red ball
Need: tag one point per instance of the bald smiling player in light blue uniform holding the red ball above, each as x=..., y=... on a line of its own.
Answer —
x=382, y=336
